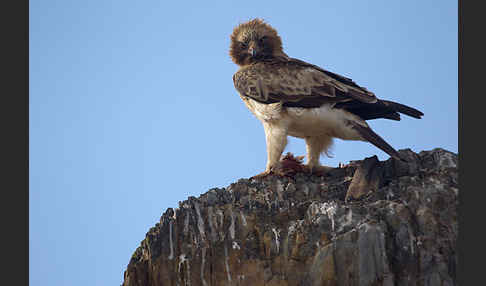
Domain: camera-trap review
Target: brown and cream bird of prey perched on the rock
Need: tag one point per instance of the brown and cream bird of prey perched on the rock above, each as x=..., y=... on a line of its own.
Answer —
x=296, y=98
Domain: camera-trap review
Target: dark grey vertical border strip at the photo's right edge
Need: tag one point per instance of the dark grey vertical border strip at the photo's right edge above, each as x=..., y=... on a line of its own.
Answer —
x=471, y=73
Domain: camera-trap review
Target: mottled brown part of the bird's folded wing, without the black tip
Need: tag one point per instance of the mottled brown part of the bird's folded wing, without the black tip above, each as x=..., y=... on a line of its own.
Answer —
x=296, y=83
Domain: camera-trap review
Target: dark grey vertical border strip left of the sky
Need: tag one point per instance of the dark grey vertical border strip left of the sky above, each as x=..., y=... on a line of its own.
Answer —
x=15, y=132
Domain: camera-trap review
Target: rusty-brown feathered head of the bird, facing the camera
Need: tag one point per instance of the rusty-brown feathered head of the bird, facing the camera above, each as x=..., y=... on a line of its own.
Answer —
x=254, y=41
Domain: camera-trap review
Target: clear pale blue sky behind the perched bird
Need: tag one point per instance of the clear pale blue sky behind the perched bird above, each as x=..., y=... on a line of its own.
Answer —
x=133, y=109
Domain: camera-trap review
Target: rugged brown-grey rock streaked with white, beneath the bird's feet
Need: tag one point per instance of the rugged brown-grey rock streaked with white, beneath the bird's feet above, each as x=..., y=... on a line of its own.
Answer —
x=368, y=223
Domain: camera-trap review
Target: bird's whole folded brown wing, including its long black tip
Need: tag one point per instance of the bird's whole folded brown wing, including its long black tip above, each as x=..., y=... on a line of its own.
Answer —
x=296, y=83
